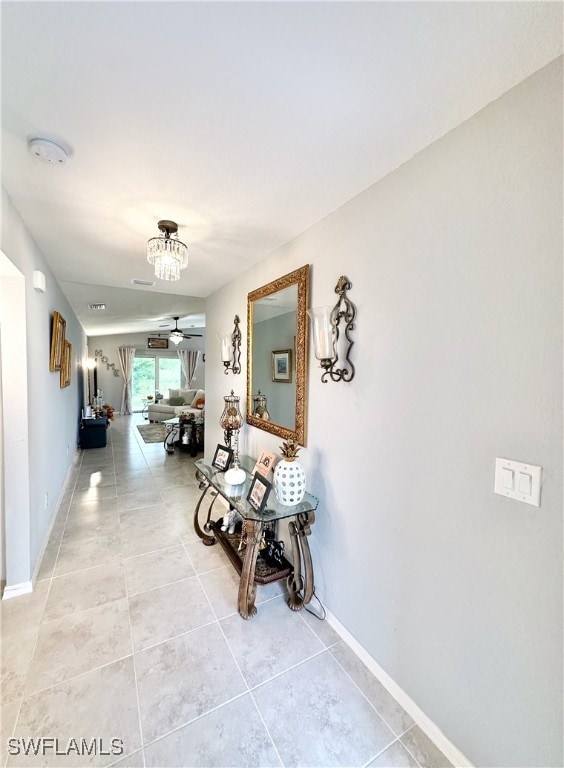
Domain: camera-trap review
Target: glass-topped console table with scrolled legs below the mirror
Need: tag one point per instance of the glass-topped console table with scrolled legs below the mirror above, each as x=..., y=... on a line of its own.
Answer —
x=243, y=548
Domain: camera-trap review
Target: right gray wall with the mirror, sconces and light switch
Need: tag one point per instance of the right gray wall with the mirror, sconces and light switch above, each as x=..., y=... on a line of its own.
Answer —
x=456, y=265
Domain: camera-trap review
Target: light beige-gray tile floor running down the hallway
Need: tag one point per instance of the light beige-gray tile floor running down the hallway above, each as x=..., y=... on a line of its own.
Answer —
x=131, y=641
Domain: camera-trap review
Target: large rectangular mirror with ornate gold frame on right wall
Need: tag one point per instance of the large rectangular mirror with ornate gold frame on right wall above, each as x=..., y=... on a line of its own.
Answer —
x=277, y=356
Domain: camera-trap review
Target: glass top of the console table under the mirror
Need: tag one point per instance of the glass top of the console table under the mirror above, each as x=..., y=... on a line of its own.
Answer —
x=236, y=495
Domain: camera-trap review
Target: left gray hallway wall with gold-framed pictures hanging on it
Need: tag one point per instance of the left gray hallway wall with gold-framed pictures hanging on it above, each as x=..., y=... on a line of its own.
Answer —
x=53, y=412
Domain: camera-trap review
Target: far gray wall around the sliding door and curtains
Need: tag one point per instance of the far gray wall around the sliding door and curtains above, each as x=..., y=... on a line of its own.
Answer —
x=112, y=386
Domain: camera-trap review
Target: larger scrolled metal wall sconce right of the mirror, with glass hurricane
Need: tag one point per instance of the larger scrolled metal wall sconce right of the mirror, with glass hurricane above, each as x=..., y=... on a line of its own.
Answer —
x=325, y=322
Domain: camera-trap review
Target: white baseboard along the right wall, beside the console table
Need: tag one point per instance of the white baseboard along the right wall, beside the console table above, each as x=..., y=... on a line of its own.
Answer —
x=421, y=719
